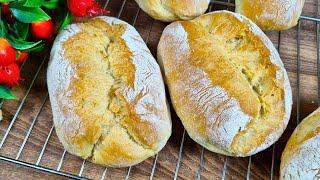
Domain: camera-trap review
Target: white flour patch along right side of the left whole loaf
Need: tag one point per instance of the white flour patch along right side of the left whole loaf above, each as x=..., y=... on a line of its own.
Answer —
x=148, y=80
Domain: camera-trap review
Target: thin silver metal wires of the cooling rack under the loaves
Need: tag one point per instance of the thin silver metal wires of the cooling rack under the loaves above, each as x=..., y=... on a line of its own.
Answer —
x=228, y=5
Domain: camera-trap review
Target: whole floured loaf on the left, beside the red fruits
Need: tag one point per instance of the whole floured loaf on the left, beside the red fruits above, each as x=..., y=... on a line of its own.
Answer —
x=107, y=93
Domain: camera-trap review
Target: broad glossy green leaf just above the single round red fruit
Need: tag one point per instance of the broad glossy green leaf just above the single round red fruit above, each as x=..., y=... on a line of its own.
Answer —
x=28, y=14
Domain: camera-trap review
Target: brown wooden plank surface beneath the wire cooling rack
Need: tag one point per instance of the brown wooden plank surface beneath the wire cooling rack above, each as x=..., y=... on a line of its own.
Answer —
x=193, y=161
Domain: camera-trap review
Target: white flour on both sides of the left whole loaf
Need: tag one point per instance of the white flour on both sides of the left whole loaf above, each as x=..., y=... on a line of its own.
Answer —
x=148, y=86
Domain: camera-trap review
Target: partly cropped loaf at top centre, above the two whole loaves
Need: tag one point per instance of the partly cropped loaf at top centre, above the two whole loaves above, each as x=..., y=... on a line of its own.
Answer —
x=171, y=10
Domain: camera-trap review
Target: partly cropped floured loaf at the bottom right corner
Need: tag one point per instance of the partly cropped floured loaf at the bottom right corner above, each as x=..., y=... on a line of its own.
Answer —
x=301, y=157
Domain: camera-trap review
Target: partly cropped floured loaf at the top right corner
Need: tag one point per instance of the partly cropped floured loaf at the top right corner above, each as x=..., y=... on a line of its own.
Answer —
x=271, y=14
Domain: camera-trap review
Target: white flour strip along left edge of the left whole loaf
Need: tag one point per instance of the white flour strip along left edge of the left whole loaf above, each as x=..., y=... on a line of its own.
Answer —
x=59, y=76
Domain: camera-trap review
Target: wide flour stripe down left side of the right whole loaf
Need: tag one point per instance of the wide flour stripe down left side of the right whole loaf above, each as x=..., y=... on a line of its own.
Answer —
x=223, y=124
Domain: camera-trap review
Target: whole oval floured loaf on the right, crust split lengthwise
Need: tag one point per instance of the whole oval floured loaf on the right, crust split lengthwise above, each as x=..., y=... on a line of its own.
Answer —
x=227, y=82
